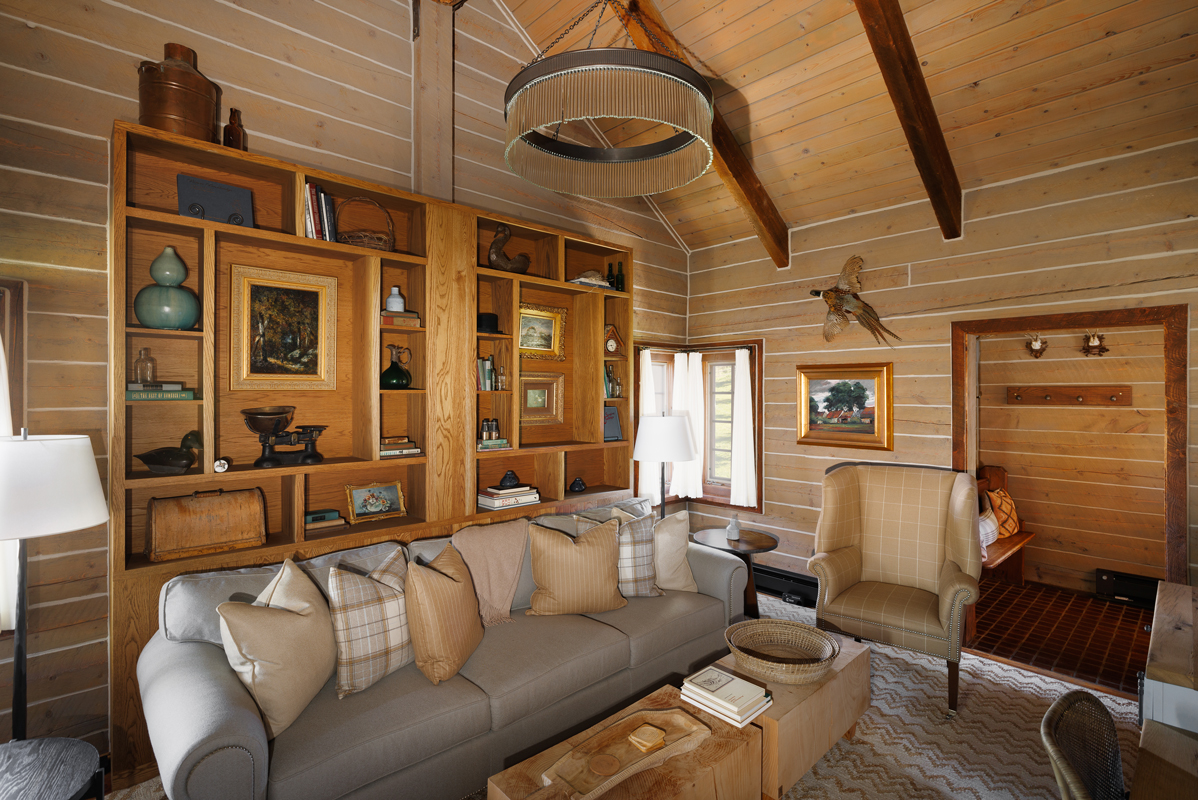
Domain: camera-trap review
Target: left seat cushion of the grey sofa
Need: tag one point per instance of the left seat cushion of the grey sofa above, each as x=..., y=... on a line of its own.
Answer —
x=337, y=747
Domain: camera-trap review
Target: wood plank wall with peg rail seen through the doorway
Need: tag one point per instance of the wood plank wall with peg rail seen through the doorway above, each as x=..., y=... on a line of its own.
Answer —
x=1088, y=482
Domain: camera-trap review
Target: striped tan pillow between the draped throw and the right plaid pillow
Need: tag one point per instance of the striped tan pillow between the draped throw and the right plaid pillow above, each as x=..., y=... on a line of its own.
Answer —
x=576, y=577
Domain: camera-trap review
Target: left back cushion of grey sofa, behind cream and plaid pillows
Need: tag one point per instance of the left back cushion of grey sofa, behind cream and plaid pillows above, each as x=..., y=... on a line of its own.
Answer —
x=187, y=604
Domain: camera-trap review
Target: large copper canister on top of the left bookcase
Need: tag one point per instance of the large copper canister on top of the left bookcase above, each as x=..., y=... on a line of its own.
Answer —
x=176, y=96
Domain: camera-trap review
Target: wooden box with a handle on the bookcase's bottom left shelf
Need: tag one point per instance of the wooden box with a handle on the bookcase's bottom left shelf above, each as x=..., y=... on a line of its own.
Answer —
x=205, y=523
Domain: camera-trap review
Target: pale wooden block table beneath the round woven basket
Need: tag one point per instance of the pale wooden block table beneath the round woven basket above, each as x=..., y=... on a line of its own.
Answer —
x=807, y=720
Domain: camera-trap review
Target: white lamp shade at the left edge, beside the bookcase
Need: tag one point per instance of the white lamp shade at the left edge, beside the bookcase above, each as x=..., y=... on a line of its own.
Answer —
x=49, y=484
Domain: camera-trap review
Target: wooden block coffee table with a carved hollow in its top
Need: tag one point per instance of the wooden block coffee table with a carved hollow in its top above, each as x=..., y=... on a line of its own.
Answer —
x=725, y=767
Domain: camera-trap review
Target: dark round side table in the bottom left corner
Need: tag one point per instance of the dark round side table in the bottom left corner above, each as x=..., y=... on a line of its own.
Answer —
x=51, y=769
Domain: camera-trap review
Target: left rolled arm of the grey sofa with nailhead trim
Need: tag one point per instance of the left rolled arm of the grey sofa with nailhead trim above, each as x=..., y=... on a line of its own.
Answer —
x=205, y=729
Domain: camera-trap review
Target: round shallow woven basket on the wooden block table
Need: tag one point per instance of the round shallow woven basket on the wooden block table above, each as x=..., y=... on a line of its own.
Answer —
x=775, y=649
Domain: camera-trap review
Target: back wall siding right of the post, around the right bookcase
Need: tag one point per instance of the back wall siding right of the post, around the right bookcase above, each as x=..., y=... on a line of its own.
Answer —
x=489, y=51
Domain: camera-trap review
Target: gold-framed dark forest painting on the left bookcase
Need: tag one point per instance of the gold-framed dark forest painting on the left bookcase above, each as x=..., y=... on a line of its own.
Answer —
x=283, y=330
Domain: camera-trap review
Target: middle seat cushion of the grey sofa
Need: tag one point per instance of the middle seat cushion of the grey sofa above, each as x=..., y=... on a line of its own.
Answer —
x=536, y=662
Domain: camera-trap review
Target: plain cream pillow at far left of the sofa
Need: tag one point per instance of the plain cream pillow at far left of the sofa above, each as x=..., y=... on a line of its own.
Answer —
x=282, y=646
